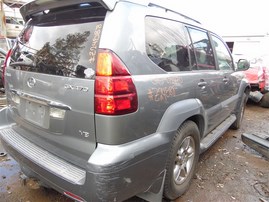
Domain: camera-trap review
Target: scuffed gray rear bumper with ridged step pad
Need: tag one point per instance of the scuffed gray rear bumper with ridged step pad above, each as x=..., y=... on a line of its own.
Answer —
x=112, y=172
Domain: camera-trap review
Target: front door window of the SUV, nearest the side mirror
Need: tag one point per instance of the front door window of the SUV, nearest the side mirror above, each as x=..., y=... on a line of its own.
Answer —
x=223, y=55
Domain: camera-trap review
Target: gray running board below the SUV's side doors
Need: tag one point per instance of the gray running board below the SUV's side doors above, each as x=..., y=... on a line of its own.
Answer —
x=214, y=135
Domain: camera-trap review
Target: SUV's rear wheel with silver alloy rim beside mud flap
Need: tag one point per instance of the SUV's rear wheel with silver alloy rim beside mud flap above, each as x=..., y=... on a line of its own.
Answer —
x=182, y=160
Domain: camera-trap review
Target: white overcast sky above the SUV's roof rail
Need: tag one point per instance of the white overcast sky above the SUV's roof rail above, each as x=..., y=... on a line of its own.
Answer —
x=229, y=17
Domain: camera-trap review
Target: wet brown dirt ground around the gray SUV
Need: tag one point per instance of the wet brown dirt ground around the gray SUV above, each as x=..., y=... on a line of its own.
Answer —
x=228, y=171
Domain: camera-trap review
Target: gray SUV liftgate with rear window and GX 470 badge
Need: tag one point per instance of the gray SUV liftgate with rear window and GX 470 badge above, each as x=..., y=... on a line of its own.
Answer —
x=50, y=78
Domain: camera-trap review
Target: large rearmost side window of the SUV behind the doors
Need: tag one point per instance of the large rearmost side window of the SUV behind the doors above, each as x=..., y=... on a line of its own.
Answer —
x=167, y=44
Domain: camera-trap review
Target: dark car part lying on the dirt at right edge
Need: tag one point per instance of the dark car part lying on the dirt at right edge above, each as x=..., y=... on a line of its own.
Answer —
x=260, y=143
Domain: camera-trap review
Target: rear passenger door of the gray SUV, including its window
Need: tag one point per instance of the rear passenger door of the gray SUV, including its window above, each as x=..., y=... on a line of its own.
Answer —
x=206, y=76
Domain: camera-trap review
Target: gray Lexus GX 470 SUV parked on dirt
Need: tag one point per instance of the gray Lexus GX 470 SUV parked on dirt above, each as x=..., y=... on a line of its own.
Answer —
x=112, y=99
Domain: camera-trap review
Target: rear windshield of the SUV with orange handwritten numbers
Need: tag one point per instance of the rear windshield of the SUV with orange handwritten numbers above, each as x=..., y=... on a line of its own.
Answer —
x=61, y=42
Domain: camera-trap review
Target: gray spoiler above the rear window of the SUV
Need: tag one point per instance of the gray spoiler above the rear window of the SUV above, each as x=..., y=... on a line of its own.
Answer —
x=38, y=6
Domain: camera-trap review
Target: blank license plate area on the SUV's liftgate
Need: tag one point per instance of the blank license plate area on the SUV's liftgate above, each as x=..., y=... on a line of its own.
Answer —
x=37, y=114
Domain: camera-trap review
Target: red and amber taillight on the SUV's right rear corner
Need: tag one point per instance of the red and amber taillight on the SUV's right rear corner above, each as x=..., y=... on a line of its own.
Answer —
x=115, y=92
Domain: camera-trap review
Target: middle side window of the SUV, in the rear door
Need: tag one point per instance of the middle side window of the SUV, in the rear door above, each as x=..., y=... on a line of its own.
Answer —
x=203, y=50
